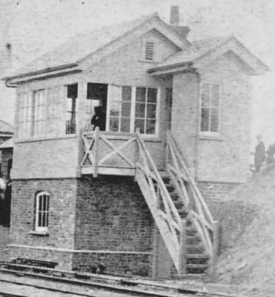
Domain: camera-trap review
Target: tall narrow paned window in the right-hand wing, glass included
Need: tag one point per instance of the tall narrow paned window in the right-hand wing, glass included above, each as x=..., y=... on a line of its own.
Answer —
x=210, y=107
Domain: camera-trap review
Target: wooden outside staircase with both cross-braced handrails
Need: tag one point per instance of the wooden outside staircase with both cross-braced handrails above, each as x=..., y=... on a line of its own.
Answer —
x=179, y=210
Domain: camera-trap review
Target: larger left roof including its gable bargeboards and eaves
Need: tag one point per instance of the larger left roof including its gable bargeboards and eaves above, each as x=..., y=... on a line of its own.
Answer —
x=85, y=49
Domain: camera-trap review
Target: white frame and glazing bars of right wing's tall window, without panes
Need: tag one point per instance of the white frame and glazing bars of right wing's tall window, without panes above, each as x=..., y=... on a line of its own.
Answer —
x=209, y=132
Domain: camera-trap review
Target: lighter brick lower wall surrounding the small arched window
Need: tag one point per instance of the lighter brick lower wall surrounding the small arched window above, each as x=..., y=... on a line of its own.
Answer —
x=61, y=212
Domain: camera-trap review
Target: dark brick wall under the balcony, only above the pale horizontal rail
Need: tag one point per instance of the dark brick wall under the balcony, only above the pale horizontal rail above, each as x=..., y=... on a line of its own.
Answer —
x=111, y=214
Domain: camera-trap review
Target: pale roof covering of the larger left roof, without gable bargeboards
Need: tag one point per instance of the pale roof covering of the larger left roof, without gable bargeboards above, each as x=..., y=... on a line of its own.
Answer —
x=83, y=45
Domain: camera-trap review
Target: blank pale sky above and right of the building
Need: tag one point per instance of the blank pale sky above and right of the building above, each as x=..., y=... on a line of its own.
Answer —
x=35, y=26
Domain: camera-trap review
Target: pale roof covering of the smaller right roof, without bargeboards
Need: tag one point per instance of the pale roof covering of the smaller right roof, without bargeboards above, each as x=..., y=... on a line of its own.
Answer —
x=202, y=48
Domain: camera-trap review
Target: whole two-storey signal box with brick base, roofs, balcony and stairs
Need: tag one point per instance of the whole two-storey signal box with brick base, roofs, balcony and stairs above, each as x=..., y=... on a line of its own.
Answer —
x=135, y=195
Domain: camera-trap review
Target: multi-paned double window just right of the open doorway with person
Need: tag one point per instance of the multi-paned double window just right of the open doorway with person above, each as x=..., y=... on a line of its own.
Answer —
x=132, y=108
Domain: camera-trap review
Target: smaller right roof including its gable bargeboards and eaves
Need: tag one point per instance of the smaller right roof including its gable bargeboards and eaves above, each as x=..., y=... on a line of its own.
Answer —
x=203, y=52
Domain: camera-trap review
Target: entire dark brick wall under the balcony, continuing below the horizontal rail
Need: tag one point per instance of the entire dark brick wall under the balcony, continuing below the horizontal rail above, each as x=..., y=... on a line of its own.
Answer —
x=112, y=215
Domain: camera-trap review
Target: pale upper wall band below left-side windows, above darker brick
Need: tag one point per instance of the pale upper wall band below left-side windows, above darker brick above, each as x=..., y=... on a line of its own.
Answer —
x=54, y=158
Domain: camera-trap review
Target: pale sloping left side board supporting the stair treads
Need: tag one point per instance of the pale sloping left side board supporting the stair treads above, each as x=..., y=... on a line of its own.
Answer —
x=163, y=227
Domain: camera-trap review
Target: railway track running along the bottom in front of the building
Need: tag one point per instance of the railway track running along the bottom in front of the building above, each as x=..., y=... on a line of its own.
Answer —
x=98, y=283
